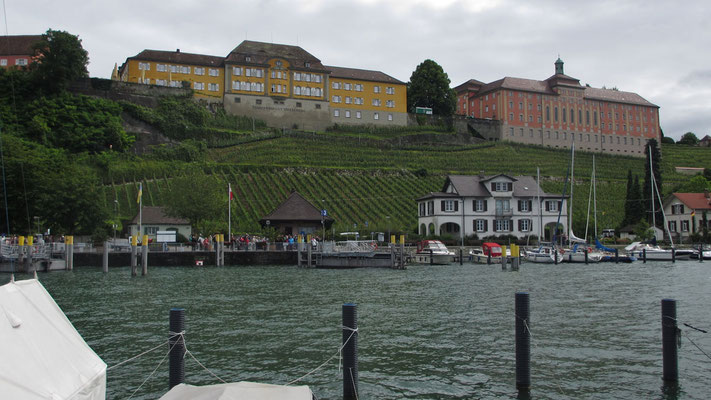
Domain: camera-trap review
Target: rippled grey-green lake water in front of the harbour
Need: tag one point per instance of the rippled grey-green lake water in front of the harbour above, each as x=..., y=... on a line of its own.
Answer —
x=428, y=332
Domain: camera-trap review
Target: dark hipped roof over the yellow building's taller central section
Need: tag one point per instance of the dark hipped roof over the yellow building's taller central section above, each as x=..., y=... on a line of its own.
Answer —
x=259, y=53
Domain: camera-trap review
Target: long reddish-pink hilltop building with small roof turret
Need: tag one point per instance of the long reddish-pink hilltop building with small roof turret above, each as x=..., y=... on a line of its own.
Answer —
x=559, y=111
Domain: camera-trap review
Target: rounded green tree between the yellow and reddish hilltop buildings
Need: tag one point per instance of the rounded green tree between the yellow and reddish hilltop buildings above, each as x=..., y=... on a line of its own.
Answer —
x=429, y=87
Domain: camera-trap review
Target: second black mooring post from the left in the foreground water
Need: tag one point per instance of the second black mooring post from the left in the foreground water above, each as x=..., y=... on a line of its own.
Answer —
x=350, y=351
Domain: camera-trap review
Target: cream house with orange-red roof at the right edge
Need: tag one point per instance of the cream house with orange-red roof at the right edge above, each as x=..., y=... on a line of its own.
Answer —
x=687, y=213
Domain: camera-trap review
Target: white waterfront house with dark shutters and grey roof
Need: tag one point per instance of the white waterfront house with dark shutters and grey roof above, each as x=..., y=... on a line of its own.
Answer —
x=491, y=205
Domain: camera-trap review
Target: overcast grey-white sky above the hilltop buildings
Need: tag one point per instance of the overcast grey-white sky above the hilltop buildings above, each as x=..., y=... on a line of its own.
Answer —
x=658, y=49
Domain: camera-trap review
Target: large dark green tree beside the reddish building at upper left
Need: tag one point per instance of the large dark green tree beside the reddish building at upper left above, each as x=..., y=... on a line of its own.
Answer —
x=59, y=59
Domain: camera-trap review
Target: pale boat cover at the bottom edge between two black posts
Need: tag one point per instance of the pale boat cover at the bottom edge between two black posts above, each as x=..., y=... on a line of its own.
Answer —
x=238, y=391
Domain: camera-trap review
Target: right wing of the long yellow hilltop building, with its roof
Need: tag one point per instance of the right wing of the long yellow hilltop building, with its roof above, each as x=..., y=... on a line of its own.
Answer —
x=359, y=96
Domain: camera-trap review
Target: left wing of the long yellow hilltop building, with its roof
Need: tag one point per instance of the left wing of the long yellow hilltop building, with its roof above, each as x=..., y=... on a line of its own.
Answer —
x=204, y=74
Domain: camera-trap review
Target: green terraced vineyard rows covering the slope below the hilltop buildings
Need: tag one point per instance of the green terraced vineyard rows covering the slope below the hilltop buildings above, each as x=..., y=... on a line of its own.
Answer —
x=378, y=183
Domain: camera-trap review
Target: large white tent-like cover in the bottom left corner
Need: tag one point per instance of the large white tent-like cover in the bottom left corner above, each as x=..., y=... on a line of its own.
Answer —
x=43, y=356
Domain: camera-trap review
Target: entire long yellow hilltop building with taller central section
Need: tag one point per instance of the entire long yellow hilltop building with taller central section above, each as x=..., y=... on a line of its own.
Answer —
x=283, y=85
